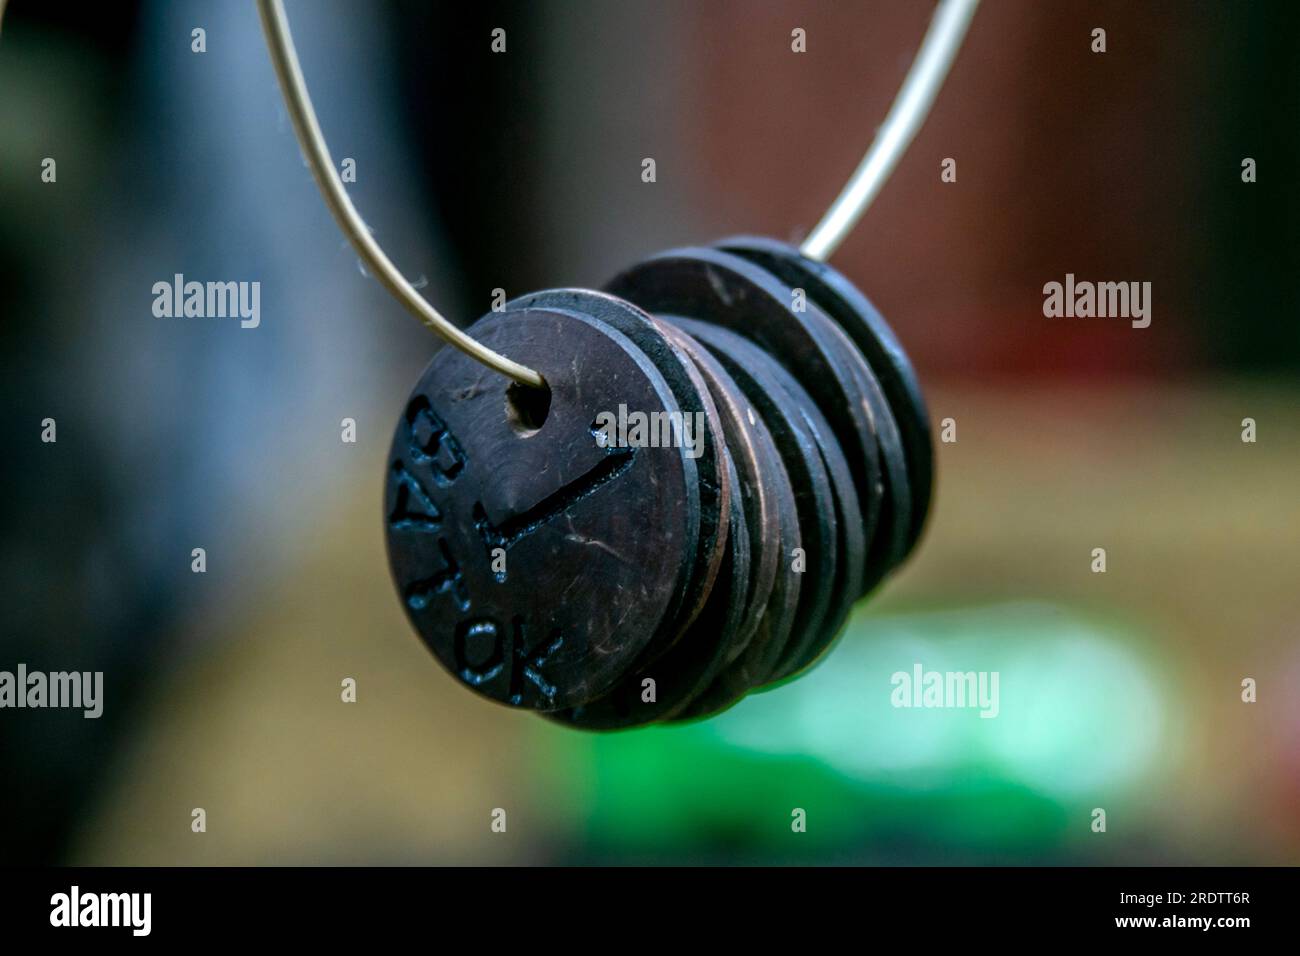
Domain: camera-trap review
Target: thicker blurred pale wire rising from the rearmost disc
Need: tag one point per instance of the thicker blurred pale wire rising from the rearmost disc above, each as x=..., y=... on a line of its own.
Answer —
x=907, y=115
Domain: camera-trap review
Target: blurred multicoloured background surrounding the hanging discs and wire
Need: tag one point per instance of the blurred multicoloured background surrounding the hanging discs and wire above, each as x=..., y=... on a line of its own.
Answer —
x=522, y=171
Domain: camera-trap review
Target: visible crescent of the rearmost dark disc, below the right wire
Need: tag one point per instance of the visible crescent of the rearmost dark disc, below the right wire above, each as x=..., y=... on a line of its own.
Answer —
x=846, y=304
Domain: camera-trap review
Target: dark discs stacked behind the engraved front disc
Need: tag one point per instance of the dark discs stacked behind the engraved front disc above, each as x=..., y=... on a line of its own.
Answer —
x=827, y=440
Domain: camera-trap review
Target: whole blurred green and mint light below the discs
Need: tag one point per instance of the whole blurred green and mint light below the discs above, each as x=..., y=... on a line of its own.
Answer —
x=1081, y=716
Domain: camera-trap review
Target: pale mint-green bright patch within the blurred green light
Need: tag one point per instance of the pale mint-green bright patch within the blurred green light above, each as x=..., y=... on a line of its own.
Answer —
x=1077, y=708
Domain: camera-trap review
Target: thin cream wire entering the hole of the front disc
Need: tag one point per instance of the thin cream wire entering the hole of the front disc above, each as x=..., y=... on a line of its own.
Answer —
x=275, y=25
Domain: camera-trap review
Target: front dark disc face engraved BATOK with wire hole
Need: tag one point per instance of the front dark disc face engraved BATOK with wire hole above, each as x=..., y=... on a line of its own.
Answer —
x=523, y=556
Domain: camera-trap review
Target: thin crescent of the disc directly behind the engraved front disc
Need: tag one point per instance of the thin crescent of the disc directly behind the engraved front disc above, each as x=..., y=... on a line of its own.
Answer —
x=701, y=427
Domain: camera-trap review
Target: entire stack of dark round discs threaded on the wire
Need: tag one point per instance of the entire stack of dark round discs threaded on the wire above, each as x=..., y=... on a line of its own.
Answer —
x=733, y=449
